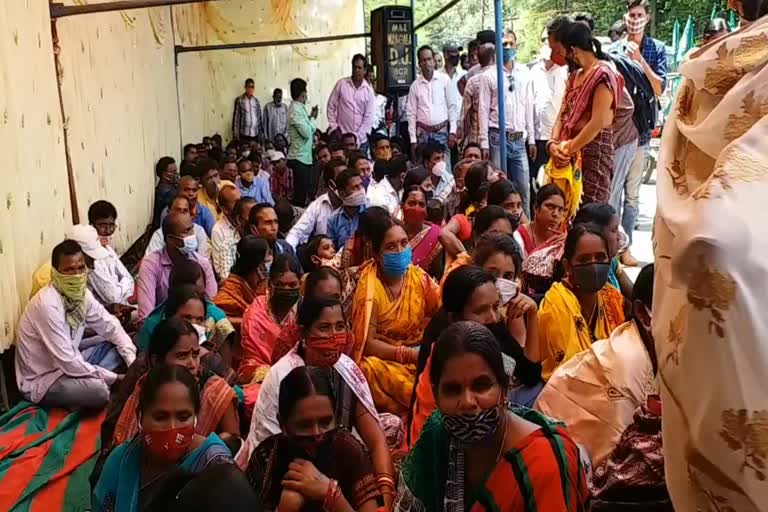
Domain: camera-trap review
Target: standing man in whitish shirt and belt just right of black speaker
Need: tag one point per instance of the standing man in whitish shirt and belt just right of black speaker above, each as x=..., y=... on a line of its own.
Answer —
x=431, y=110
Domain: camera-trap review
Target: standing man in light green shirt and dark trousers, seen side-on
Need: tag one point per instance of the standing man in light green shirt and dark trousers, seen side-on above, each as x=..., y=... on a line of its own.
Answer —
x=301, y=129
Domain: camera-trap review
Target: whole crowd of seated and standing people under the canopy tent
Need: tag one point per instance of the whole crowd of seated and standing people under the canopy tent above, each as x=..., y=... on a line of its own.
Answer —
x=345, y=320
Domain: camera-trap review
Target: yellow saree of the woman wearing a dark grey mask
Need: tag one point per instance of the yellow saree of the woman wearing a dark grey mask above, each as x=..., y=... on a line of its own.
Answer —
x=563, y=330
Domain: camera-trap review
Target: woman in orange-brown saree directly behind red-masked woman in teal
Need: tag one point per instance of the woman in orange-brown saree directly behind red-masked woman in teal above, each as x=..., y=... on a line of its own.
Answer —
x=175, y=341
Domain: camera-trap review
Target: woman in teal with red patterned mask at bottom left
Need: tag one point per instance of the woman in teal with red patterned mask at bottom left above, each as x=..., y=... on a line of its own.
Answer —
x=168, y=405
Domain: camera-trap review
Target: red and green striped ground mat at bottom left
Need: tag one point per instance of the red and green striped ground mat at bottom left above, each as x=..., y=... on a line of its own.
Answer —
x=46, y=458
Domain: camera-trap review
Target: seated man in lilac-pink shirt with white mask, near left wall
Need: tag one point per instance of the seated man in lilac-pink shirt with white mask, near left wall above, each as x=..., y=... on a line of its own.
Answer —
x=155, y=268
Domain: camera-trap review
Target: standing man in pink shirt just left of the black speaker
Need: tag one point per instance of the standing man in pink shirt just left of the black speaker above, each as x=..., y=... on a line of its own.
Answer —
x=352, y=105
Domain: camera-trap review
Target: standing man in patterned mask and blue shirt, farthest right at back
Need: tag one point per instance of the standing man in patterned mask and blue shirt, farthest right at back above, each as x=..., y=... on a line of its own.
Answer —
x=651, y=54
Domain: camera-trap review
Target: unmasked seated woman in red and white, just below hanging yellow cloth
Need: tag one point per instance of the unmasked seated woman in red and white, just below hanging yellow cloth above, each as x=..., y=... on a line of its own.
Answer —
x=542, y=241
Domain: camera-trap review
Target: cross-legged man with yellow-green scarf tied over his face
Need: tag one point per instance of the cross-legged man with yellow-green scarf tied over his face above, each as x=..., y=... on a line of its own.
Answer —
x=52, y=367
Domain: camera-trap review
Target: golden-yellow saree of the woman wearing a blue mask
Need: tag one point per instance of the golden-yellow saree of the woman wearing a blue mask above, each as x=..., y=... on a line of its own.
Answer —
x=397, y=322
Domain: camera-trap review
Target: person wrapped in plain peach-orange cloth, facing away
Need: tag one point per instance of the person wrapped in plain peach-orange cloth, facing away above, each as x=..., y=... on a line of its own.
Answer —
x=596, y=392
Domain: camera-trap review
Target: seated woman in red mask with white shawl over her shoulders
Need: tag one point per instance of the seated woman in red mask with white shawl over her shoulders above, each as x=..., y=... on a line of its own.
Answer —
x=325, y=338
